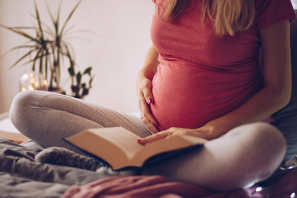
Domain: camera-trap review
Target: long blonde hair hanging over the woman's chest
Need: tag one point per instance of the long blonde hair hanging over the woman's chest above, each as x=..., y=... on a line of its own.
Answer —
x=229, y=16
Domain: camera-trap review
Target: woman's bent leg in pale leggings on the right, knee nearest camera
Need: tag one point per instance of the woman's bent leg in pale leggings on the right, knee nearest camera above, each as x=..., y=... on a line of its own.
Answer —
x=242, y=157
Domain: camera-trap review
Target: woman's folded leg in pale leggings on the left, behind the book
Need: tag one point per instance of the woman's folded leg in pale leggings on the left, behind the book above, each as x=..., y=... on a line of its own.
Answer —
x=47, y=117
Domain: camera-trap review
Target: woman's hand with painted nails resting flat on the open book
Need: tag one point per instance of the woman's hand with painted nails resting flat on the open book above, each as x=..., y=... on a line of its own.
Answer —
x=205, y=132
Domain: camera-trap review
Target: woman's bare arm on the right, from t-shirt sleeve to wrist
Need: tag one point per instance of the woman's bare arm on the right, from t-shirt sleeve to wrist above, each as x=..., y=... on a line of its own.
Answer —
x=277, y=80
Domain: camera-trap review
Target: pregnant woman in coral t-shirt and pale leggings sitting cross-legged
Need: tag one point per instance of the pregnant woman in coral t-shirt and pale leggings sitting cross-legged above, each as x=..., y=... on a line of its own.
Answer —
x=216, y=70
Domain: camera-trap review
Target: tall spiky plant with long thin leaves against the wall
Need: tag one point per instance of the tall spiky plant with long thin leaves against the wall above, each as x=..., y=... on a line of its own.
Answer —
x=47, y=48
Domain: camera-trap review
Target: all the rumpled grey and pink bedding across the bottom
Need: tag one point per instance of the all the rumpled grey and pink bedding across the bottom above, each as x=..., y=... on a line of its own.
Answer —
x=21, y=176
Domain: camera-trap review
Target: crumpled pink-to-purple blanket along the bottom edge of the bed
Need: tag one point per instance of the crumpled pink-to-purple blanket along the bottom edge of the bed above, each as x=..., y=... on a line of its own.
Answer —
x=158, y=186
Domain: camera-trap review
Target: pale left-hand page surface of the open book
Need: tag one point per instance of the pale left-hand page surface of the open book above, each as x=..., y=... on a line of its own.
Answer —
x=122, y=138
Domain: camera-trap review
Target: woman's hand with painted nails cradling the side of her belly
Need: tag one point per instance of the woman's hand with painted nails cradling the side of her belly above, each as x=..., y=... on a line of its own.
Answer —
x=145, y=98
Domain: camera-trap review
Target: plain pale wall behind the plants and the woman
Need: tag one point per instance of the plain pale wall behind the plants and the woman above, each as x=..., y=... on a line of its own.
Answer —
x=116, y=53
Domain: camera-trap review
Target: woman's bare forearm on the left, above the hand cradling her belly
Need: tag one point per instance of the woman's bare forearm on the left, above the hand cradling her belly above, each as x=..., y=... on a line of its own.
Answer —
x=150, y=63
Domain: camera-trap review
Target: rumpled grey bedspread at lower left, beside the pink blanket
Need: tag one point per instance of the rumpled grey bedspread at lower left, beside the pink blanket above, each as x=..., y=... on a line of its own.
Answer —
x=21, y=176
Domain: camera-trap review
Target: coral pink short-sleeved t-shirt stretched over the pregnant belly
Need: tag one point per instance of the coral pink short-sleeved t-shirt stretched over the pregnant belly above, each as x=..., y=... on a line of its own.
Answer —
x=201, y=76
